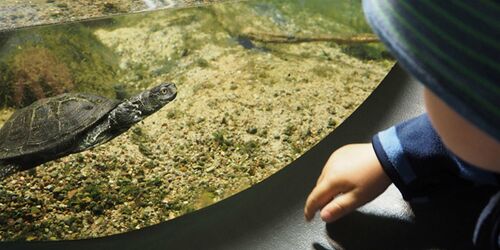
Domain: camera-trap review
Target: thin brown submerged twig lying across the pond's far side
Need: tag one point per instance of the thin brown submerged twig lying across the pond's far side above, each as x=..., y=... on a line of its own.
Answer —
x=278, y=38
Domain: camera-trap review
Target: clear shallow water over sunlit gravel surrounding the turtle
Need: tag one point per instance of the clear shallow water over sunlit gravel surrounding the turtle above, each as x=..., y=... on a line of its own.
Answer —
x=244, y=109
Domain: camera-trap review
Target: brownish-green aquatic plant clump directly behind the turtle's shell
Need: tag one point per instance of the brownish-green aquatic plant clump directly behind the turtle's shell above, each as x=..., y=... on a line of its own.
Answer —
x=48, y=61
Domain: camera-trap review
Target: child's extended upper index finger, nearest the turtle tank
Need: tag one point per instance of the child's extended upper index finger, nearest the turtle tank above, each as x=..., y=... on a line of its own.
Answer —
x=320, y=196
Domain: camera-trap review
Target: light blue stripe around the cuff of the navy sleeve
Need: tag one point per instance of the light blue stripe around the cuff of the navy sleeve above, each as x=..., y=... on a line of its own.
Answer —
x=395, y=153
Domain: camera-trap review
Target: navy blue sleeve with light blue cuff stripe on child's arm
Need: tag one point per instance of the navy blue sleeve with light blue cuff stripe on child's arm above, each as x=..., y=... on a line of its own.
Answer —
x=418, y=163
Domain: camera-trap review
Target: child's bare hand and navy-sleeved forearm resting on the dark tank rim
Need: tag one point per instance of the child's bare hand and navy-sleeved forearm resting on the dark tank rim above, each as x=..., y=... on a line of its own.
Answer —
x=410, y=155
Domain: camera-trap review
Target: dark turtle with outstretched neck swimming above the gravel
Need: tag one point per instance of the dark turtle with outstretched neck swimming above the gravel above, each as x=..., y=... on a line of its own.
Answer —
x=69, y=123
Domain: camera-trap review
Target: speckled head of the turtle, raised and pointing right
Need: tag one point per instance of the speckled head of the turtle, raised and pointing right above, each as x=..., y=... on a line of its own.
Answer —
x=155, y=98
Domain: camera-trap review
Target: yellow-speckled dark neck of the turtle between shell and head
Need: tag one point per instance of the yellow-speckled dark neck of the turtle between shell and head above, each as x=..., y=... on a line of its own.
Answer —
x=125, y=115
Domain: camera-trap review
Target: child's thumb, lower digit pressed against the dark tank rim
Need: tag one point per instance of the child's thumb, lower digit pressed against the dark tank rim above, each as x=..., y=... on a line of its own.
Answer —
x=338, y=207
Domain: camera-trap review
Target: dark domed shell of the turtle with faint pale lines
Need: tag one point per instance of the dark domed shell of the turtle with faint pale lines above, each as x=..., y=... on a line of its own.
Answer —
x=50, y=122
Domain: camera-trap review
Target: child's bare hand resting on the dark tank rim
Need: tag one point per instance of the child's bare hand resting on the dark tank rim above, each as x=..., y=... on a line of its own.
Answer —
x=352, y=177
